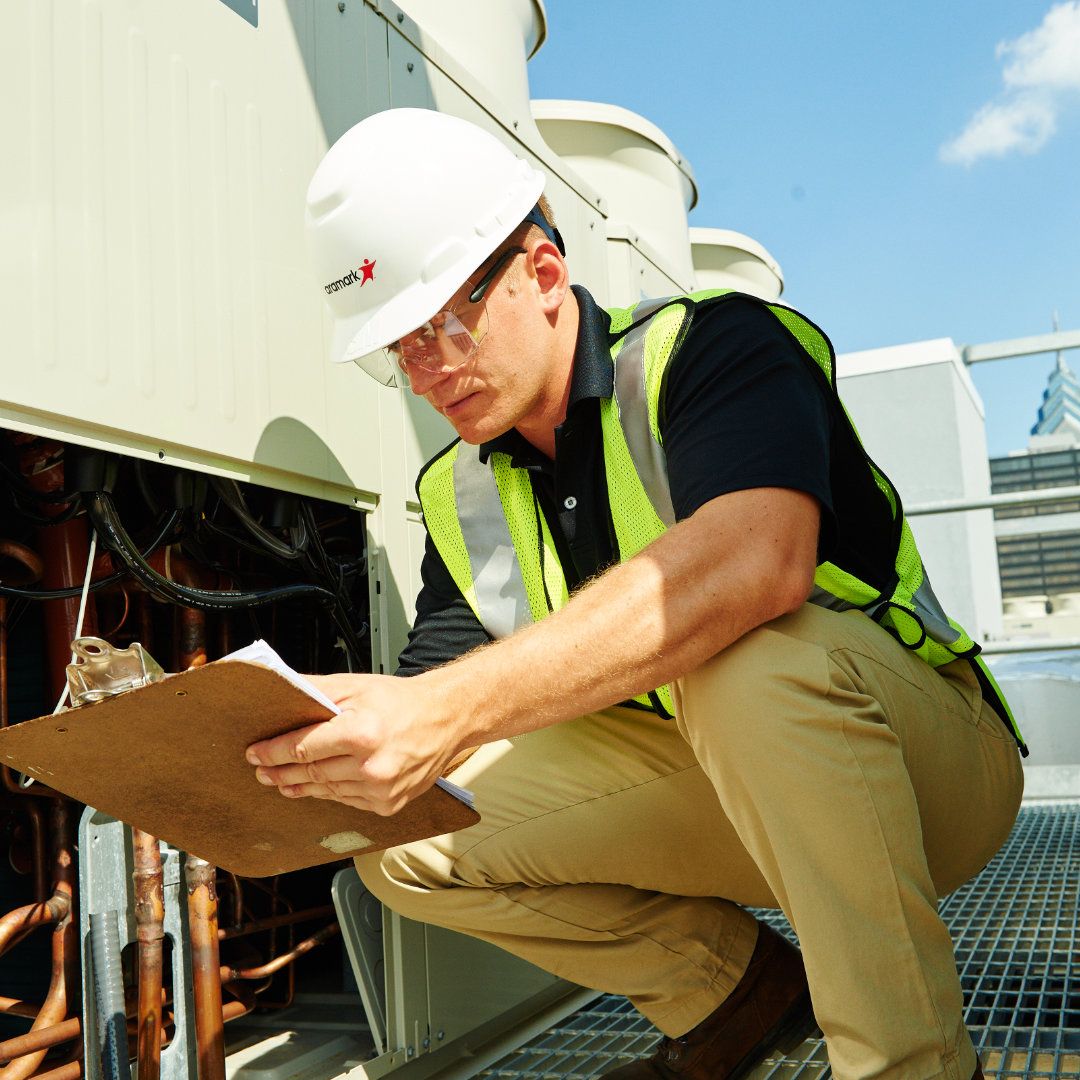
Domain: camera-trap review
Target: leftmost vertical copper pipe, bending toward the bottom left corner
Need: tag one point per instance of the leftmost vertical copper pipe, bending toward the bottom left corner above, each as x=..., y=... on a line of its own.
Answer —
x=65, y=951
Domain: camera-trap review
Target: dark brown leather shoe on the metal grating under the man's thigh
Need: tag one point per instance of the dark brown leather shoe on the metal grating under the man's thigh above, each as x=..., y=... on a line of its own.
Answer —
x=771, y=1004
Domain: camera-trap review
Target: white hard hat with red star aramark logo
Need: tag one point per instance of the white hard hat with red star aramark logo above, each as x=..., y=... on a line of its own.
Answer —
x=402, y=210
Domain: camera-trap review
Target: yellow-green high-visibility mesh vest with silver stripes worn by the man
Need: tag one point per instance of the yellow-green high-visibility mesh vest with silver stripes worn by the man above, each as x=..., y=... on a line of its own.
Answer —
x=488, y=525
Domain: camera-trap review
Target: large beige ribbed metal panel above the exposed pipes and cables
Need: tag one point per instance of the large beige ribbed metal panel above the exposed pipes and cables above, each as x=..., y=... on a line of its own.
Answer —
x=157, y=279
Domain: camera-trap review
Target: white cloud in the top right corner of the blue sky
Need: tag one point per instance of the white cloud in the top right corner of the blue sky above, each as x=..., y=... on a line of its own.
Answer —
x=1042, y=72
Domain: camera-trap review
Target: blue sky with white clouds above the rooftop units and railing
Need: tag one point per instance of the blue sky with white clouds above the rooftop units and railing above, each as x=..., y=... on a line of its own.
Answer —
x=915, y=168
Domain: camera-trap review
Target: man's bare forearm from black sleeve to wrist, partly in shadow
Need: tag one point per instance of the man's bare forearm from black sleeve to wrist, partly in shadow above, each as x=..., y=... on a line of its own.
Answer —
x=738, y=563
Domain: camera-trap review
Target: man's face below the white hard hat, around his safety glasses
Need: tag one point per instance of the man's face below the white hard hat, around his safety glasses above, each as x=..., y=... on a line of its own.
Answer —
x=505, y=382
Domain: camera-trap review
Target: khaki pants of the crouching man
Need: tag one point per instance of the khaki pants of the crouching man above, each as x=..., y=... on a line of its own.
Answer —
x=816, y=766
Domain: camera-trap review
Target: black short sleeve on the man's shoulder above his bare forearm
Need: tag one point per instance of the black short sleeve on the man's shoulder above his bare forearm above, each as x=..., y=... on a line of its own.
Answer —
x=741, y=408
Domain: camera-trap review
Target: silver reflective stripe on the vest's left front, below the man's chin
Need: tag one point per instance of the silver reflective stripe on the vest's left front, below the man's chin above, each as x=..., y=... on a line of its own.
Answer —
x=502, y=601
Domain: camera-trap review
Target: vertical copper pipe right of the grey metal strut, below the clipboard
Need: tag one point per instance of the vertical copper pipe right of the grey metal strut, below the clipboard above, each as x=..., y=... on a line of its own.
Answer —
x=206, y=966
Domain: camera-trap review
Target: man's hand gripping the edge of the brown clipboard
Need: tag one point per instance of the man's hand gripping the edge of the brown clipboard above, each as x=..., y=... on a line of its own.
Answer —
x=387, y=747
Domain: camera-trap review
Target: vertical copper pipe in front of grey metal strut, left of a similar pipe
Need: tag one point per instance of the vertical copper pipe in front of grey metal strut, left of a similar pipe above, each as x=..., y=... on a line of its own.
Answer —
x=151, y=922
